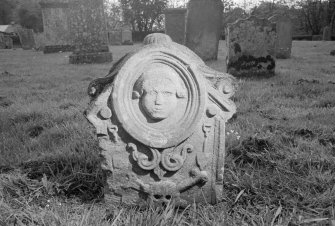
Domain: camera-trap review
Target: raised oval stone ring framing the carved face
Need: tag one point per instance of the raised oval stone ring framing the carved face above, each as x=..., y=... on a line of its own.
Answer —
x=122, y=97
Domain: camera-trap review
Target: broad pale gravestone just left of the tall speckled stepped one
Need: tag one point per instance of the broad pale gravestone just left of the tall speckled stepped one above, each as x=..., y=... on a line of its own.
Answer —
x=56, y=26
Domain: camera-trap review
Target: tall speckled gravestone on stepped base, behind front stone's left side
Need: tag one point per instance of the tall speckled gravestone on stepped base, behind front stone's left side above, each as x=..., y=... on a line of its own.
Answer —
x=89, y=33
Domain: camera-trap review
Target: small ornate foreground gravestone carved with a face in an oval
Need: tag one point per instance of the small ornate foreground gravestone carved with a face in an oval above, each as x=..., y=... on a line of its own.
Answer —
x=160, y=119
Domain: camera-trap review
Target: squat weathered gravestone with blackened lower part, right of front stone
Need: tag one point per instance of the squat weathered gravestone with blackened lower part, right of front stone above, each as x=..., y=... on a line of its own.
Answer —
x=251, y=47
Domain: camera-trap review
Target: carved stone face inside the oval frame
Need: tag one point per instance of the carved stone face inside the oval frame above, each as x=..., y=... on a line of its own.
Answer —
x=160, y=88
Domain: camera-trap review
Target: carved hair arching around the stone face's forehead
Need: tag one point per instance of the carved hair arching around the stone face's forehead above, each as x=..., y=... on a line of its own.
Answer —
x=159, y=72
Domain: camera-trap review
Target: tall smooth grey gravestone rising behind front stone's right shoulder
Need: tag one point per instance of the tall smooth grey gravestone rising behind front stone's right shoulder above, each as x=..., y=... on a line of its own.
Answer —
x=203, y=27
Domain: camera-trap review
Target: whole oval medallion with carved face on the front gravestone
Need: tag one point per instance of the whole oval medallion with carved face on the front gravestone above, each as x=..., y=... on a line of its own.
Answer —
x=157, y=97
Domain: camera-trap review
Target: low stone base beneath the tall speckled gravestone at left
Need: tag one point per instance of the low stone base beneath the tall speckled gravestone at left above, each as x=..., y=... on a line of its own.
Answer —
x=91, y=58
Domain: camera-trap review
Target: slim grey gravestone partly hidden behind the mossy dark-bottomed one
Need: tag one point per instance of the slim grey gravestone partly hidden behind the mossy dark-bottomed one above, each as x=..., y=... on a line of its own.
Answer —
x=284, y=35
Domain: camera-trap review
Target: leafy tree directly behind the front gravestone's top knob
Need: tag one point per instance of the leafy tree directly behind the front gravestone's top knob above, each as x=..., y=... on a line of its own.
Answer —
x=143, y=14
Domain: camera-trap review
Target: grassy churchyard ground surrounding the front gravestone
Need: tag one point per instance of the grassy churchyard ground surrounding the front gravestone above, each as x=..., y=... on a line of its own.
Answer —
x=280, y=163
